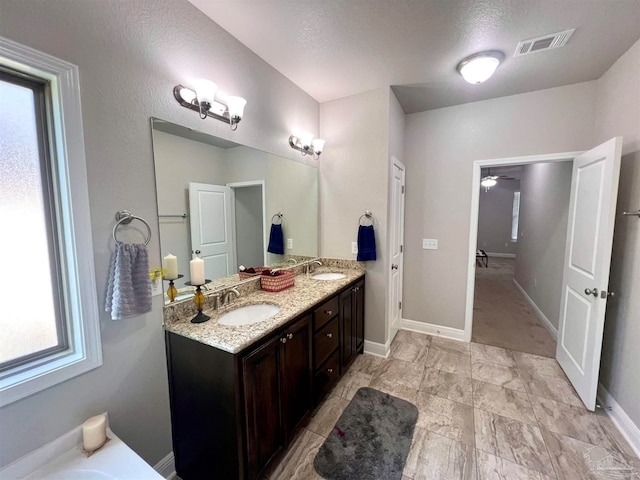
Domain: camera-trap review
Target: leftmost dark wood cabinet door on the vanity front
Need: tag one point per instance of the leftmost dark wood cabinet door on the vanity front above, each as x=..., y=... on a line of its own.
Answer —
x=261, y=377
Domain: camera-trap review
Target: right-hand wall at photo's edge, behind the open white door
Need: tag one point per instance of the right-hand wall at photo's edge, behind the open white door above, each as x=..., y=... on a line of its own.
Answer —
x=618, y=113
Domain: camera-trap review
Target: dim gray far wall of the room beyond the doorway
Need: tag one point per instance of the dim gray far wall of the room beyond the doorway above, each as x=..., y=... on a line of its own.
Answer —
x=495, y=214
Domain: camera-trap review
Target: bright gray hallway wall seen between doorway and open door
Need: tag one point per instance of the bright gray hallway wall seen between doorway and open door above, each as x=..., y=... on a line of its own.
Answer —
x=544, y=206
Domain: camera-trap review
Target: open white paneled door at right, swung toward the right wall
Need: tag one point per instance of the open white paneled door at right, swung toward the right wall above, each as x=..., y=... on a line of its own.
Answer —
x=594, y=189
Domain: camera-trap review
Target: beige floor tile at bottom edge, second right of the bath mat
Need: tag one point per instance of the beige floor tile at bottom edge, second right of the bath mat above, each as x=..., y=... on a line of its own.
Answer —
x=511, y=440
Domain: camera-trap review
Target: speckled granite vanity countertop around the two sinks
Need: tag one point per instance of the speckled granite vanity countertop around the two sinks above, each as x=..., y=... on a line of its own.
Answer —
x=293, y=301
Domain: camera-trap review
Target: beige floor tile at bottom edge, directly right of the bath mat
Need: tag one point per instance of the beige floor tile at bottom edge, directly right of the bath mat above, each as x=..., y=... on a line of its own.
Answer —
x=434, y=457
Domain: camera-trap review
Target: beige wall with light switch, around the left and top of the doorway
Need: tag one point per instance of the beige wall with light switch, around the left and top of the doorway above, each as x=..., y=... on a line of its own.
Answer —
x=440, y=148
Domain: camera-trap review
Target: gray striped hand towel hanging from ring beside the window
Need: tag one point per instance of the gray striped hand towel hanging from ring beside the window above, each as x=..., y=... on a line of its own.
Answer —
x=129, y=287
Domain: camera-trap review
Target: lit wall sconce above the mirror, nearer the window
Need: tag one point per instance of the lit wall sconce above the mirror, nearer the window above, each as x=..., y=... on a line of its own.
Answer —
x=203, y=101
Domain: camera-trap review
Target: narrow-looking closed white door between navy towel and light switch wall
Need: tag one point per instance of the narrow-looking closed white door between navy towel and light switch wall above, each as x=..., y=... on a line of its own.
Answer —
x=396, y=228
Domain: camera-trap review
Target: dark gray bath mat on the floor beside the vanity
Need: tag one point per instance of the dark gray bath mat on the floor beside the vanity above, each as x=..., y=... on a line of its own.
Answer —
x=370, y=441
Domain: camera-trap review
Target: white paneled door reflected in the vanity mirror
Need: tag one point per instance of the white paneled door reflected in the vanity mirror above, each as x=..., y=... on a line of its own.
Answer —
x=211, y=228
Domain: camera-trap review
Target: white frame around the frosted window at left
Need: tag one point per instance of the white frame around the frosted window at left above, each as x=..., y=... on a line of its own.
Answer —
x=76, y=245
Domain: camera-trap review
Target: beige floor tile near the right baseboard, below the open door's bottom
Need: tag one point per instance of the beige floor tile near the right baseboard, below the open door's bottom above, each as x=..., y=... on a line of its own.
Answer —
x=574, y=422
